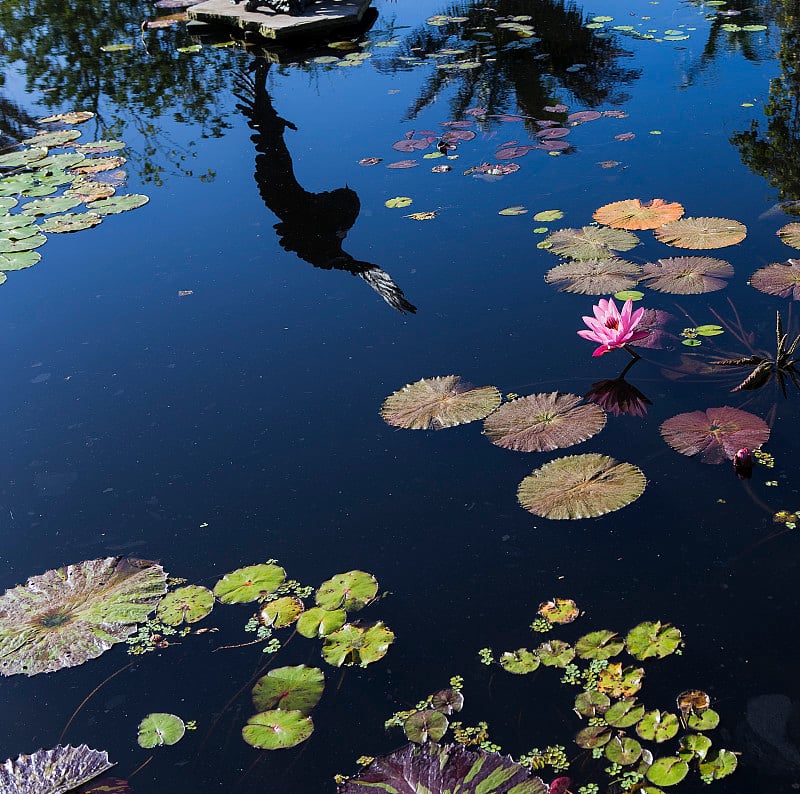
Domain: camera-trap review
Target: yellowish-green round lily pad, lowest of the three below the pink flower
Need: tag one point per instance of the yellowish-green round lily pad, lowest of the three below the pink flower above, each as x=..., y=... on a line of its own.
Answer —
x=581, y=486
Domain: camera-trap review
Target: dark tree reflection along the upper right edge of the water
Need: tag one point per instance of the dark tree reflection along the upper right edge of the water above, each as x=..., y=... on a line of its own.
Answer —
x=771, y=147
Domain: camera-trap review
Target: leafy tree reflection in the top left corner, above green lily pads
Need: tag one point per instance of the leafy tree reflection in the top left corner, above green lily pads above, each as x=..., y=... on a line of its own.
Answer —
x=56, y=44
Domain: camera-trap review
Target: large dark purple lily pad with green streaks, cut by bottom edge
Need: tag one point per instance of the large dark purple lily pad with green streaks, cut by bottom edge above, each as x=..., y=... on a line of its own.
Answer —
x=438, y=769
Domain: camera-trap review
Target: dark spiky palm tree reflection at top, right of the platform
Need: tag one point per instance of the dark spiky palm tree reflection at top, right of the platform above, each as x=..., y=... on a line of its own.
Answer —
x=528, y=70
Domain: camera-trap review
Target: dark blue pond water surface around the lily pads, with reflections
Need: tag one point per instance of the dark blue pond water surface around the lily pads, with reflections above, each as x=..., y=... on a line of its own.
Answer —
x=199, y=381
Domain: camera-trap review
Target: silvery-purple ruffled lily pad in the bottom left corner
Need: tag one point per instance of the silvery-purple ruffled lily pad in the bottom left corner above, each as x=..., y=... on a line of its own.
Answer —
x=52, y=771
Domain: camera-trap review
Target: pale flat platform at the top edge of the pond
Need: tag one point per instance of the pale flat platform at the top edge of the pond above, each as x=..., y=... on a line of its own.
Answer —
x=319, y=18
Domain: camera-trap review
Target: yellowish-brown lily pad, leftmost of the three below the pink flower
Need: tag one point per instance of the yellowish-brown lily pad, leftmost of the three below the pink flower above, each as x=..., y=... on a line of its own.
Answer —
x=434, y=403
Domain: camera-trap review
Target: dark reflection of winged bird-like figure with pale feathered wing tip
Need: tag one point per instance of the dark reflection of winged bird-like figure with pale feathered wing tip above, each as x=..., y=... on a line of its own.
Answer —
x=312, y=225
